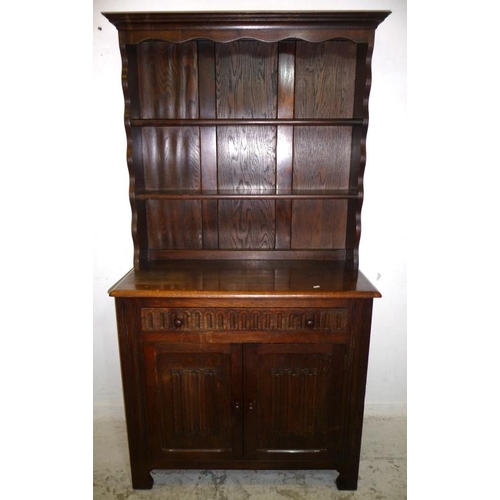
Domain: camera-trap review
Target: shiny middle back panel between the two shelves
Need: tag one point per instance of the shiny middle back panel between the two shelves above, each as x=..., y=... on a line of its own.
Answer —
x=246, y=158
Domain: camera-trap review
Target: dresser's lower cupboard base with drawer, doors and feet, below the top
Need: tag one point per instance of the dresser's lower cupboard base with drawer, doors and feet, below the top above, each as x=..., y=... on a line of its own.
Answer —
x=244, y=388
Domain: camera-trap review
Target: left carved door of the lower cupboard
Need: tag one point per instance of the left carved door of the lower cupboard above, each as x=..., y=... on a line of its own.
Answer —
x=194, y=394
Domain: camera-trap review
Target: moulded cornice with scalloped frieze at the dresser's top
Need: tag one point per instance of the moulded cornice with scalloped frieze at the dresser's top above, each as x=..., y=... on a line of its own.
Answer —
x=314, y=26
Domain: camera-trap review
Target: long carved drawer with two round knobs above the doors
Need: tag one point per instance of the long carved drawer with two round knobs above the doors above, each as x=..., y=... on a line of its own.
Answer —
x=226, y=319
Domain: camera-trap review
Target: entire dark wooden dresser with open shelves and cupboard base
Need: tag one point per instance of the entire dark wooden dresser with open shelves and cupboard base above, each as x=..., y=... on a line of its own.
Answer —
x=244, y=326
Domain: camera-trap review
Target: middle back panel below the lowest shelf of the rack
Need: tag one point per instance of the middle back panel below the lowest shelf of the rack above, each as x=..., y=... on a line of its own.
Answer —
x=245, y=224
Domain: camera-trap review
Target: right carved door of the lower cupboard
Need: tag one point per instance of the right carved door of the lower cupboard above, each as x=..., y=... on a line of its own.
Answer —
x=294, y=399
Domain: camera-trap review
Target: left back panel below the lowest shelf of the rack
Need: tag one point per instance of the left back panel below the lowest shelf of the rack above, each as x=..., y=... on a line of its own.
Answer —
x=174, y=224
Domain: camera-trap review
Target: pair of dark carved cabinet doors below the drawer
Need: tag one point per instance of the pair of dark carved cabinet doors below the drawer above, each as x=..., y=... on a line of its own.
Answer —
x=237, y=401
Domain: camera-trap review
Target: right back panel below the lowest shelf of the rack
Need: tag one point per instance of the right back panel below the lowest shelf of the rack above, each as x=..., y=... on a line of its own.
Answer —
x=319, y=224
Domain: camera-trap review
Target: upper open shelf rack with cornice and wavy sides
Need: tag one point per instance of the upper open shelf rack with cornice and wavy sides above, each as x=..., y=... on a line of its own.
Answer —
x=265, y=116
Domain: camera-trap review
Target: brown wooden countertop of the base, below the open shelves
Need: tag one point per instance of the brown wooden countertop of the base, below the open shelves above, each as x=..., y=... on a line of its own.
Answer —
x=223, y=279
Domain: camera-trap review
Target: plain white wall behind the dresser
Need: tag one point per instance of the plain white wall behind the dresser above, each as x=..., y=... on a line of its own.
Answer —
x=383, y=238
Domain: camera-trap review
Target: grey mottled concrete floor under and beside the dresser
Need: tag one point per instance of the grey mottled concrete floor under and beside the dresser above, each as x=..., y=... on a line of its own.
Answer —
x=382, y=472
